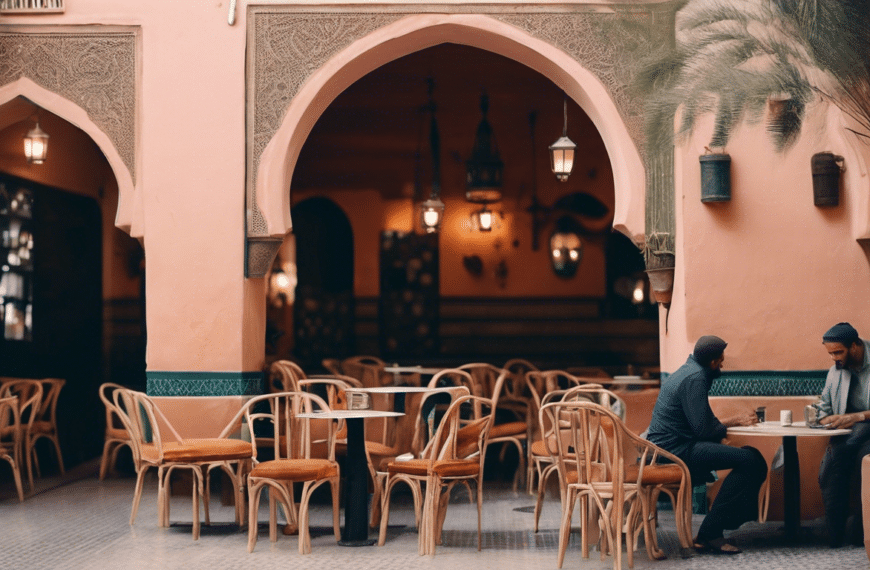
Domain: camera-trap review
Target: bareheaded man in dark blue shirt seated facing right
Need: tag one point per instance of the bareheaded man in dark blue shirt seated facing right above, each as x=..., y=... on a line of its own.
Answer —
x=684, y=424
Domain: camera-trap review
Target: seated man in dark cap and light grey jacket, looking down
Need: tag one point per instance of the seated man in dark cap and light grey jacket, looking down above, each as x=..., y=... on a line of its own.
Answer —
x=845, y=402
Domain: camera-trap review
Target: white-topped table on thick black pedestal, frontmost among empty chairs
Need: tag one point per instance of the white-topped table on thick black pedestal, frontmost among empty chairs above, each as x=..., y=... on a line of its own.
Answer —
x=356, y=506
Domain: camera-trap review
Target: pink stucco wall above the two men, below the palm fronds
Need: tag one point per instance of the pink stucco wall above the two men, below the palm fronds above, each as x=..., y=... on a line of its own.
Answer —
x=769, y=271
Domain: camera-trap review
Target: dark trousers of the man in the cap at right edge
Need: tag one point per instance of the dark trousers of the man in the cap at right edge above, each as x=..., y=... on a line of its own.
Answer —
x=840, y=467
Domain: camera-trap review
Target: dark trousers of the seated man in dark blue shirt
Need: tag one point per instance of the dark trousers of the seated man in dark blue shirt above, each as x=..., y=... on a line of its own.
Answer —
x=737, y=499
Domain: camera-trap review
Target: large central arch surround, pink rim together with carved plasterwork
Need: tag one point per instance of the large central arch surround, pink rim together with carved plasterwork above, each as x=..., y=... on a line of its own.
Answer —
x=300, y=59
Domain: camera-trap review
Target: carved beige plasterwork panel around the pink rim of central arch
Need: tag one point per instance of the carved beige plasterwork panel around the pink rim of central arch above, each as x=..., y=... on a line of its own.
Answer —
x=289, y=43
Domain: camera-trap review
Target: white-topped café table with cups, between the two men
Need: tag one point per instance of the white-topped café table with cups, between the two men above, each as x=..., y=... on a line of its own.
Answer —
x=791, y=462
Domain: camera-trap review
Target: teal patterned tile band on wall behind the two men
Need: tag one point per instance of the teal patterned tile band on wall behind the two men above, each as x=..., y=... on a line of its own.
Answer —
x=768, y=383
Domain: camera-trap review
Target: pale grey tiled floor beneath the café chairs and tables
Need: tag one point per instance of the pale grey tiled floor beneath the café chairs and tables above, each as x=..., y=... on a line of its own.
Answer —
x=84, y=524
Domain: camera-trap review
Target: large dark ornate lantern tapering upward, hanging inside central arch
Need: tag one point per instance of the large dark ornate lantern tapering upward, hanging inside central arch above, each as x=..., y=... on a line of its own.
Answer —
x=484, y=168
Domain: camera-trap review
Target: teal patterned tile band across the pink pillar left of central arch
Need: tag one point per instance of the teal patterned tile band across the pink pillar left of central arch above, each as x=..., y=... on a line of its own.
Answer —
x=172, y=383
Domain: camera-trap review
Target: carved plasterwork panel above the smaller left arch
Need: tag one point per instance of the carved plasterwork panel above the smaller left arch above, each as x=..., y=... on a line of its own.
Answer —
x=94, y=69
